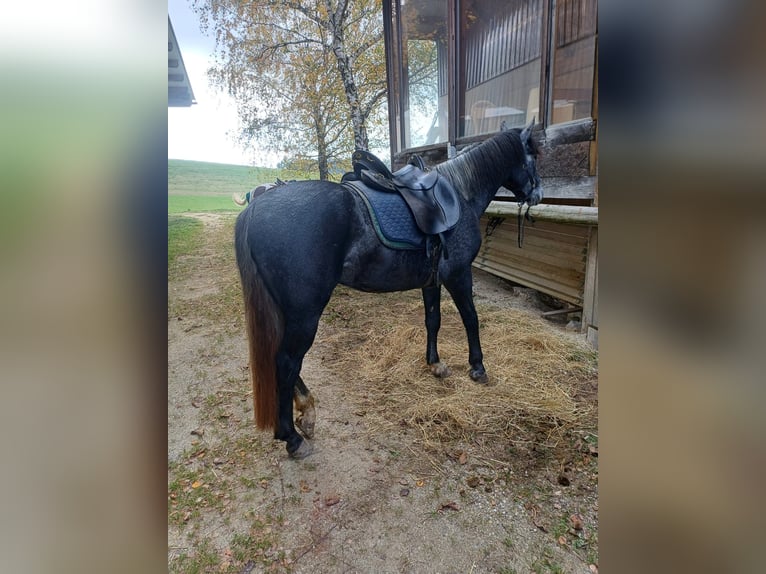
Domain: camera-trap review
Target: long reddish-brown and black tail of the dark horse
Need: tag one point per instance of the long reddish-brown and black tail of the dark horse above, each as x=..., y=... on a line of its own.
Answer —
x=264, y=325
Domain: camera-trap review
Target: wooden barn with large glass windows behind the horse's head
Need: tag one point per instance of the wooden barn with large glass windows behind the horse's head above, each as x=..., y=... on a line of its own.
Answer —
x=456, y=70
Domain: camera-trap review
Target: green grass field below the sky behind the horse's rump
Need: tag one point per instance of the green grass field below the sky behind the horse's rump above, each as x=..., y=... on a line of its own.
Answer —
x=195, y=186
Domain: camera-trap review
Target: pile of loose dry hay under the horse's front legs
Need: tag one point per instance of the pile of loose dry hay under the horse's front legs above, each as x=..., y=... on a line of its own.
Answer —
x=535, y=371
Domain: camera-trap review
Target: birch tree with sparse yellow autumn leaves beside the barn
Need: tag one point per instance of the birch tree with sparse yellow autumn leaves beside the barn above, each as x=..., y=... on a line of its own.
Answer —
x=308, y=76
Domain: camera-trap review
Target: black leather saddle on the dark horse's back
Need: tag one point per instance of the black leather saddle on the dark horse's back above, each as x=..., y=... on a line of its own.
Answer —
x=431, y=198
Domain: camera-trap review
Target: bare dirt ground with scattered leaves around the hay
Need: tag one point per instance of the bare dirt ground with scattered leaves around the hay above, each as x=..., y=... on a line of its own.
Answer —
x=365, y=501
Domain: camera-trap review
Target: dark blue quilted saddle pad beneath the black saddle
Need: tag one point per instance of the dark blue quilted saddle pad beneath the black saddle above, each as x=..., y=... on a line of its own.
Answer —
x=392, y=219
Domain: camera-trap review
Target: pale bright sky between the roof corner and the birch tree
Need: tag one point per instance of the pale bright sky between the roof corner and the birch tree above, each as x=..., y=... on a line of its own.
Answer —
x=207, y=130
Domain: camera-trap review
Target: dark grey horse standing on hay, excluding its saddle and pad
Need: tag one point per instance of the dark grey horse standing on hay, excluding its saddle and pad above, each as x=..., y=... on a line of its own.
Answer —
x=296, y=243
